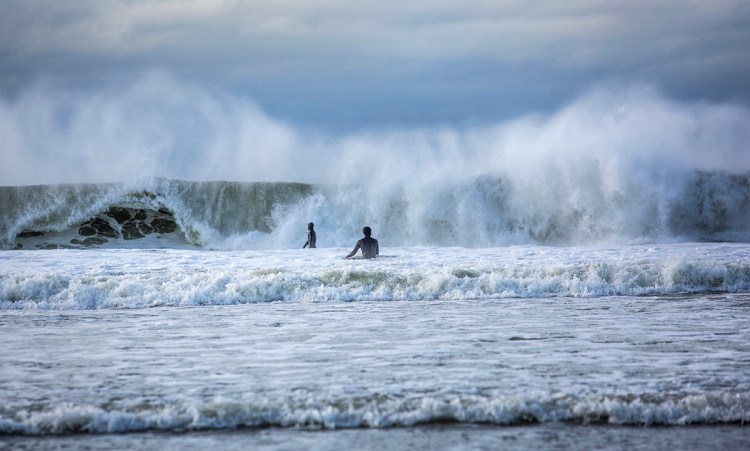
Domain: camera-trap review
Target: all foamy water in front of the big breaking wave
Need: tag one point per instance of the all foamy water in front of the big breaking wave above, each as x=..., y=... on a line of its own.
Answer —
x=428, y=347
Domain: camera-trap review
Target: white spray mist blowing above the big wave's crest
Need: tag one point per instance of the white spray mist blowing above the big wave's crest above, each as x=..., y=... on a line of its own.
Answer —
x=159, y=126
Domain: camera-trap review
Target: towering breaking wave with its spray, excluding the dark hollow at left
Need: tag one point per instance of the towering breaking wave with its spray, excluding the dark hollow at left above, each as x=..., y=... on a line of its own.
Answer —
x=615, y=165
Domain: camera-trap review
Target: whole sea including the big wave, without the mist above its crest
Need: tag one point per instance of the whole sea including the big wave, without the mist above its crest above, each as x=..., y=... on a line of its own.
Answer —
x=168, y=314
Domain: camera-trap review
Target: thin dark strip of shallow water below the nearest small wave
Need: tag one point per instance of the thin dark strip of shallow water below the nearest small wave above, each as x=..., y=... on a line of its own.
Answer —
x=453, y=437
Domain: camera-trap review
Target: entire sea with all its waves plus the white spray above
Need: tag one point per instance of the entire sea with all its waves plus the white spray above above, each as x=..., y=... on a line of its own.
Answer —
x=575, y=280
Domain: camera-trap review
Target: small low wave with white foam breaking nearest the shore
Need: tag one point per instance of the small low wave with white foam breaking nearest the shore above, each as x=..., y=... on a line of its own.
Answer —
x=381, y=411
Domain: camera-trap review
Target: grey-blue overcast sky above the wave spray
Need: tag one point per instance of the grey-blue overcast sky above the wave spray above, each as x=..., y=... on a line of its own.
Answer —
x=360, y=64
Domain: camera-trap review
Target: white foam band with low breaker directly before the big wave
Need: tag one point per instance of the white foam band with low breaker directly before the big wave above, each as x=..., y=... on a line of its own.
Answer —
x=105, y=279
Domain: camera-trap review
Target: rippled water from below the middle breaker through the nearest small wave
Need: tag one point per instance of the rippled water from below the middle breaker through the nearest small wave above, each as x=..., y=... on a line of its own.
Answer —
x=673, y=361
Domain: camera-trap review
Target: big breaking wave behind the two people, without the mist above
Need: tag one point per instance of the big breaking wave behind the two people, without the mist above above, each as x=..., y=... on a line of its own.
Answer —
x=484, y=211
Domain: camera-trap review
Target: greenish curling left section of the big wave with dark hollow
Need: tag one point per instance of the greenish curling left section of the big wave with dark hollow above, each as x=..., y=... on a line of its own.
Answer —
x=176, y=213
